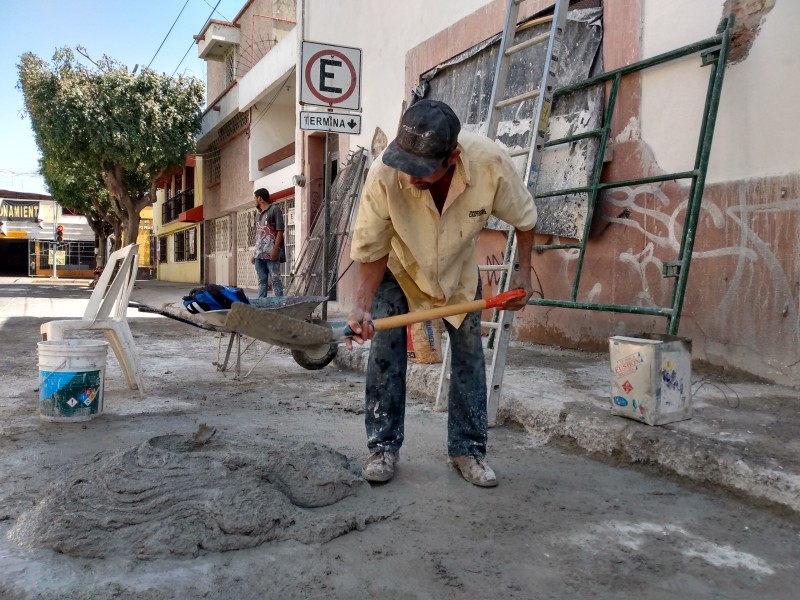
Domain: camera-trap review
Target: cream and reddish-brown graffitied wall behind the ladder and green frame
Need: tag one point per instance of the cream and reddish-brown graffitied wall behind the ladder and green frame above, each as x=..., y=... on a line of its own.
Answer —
x=742, y=307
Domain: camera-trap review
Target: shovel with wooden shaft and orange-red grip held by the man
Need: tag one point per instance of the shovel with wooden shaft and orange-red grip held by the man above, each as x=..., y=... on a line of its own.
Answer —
x=295, y=334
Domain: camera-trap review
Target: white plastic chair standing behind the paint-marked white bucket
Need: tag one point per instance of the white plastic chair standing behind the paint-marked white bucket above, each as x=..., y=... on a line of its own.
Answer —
x=111, y=293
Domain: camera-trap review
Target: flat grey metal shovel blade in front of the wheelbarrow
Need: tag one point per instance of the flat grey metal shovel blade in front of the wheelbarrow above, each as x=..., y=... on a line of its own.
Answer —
x=277, y=329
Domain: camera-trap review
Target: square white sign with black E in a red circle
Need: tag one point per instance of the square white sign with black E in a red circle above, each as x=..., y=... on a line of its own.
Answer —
x=331, y=76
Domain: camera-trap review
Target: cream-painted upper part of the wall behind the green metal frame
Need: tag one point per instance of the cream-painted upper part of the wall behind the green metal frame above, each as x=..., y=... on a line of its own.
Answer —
x=758, y=99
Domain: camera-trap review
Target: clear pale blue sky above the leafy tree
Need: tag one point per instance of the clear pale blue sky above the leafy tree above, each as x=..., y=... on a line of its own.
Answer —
x=129, y=31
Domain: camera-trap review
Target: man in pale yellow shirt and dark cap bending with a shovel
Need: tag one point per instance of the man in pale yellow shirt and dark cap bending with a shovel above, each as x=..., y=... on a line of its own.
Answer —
x=425, y=201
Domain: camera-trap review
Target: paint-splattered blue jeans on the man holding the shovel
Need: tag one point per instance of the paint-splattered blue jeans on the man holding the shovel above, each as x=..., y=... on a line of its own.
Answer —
x=386, y=380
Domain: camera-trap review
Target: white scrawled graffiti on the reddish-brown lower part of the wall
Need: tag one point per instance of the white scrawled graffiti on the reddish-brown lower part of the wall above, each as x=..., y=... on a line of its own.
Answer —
x=656, y=219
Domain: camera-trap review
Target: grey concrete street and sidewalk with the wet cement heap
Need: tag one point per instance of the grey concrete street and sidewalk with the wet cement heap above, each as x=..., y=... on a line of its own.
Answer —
x=589, y=505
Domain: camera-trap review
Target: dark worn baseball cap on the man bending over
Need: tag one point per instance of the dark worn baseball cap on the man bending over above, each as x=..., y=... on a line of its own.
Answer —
x=428, y=133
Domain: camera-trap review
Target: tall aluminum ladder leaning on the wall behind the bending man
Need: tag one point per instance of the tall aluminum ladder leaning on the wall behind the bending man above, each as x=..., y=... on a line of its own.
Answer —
x=543, y=96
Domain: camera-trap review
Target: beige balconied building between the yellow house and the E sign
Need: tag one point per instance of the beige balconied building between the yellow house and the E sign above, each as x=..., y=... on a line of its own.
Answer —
x=247, y=140
